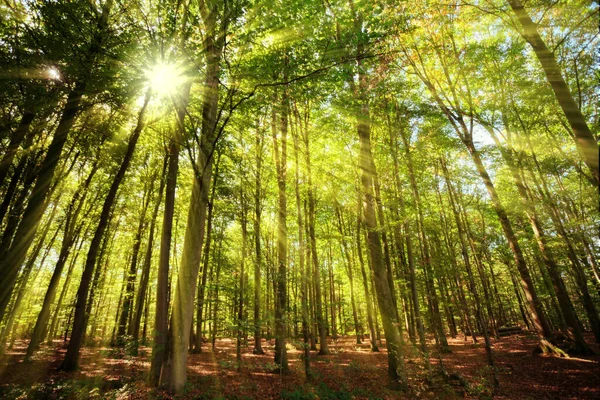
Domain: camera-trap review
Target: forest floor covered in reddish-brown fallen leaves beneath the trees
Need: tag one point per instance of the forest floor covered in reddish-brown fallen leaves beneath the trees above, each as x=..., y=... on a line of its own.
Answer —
x=350, y=371
